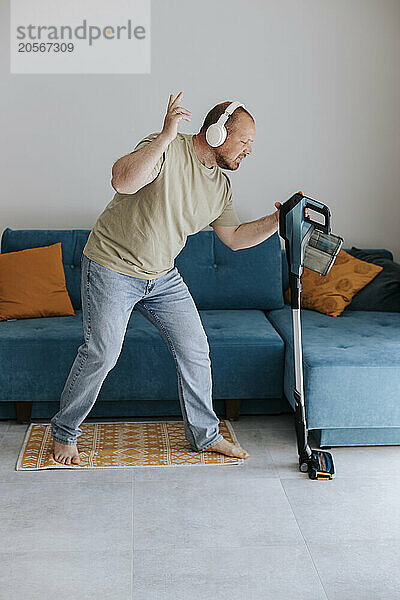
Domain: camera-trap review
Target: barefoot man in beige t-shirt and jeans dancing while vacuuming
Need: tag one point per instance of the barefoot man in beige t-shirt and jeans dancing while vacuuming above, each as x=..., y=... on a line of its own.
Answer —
x=169, y=187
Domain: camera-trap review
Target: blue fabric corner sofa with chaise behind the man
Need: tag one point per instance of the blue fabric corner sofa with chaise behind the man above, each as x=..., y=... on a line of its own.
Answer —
x=351, y=362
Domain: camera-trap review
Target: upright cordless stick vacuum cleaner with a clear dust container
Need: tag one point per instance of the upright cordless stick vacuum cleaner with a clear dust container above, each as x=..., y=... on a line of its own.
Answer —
x=308, y=243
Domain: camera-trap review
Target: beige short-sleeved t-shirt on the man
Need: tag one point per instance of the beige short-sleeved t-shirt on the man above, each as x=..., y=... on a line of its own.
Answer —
x=141, y=234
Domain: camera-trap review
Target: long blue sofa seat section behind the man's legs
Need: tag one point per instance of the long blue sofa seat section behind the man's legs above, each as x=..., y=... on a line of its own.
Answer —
x=246, y=355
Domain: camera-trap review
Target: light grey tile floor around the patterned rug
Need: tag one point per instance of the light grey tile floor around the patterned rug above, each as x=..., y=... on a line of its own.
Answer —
x=258, y=531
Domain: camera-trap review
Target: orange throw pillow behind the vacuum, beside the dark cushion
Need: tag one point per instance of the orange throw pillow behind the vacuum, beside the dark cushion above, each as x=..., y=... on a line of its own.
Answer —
x=330, y=294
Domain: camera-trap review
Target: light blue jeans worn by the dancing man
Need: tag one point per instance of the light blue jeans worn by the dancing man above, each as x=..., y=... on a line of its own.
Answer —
x=108, y=298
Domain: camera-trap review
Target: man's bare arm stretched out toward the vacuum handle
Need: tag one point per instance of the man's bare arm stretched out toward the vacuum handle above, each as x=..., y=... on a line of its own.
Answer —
x=249, y=234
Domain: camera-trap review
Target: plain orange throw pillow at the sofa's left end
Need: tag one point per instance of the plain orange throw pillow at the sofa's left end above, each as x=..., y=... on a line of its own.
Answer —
x=32, y=284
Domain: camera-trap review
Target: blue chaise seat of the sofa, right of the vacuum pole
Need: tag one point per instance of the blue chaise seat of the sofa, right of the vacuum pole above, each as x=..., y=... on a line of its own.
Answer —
x=351, y=367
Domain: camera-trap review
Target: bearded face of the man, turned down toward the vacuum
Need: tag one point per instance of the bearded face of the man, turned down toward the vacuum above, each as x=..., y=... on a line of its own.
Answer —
x=237, y=144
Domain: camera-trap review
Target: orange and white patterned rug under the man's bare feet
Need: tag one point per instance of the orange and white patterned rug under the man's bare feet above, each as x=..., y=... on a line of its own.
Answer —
x=109, y=445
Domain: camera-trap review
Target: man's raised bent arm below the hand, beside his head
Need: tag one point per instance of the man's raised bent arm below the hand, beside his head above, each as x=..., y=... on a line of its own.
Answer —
x=132, y=171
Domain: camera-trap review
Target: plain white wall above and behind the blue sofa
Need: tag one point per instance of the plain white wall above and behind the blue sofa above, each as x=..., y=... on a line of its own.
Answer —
x=321, y=78
